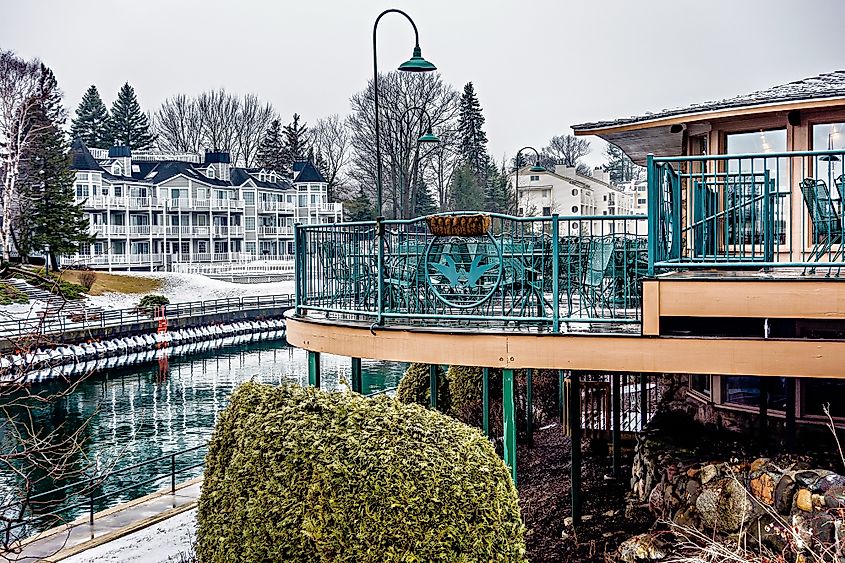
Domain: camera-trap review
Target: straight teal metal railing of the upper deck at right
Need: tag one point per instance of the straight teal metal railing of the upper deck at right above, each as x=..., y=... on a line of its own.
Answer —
x=765, y=210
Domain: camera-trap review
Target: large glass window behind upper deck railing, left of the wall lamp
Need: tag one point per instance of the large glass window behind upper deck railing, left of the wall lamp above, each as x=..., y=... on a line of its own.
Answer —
x=744, y=183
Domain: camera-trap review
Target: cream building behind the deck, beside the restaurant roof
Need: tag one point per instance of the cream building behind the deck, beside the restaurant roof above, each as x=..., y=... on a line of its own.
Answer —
x=568, y=193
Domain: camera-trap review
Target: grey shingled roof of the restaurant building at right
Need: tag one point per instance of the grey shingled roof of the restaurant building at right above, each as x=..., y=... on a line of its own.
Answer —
x=828, y=85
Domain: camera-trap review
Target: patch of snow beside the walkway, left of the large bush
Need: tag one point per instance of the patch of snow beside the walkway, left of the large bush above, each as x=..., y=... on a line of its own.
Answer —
x=158, y=543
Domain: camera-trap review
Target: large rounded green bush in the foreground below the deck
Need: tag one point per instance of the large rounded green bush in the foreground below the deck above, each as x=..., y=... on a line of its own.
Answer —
x=300, y=475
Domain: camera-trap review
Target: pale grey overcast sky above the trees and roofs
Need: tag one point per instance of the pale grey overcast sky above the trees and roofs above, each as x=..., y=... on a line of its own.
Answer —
x=538, y=65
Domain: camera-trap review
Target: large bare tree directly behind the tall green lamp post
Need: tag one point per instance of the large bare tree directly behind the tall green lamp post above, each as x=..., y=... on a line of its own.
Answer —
x=401, y=126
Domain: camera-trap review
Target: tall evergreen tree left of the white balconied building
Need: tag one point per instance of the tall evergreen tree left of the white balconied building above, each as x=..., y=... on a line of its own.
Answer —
x=47, y=217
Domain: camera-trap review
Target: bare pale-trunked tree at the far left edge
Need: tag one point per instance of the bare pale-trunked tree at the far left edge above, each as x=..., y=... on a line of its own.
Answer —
x=18, y=100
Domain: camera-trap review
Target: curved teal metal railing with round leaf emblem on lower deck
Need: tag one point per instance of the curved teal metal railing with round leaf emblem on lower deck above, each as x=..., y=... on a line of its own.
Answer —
x=554, y=274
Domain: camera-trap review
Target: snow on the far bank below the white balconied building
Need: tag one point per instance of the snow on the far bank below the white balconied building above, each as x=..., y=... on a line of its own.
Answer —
x=181, y=288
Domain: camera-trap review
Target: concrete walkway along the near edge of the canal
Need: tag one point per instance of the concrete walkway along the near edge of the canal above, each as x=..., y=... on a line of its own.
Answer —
x=63, y=541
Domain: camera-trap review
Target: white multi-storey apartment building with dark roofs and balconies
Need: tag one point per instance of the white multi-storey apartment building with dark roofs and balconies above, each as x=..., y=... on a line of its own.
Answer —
x=149, y=210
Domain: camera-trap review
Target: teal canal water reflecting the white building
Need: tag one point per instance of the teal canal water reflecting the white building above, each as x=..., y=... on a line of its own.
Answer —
x=157, y=408
